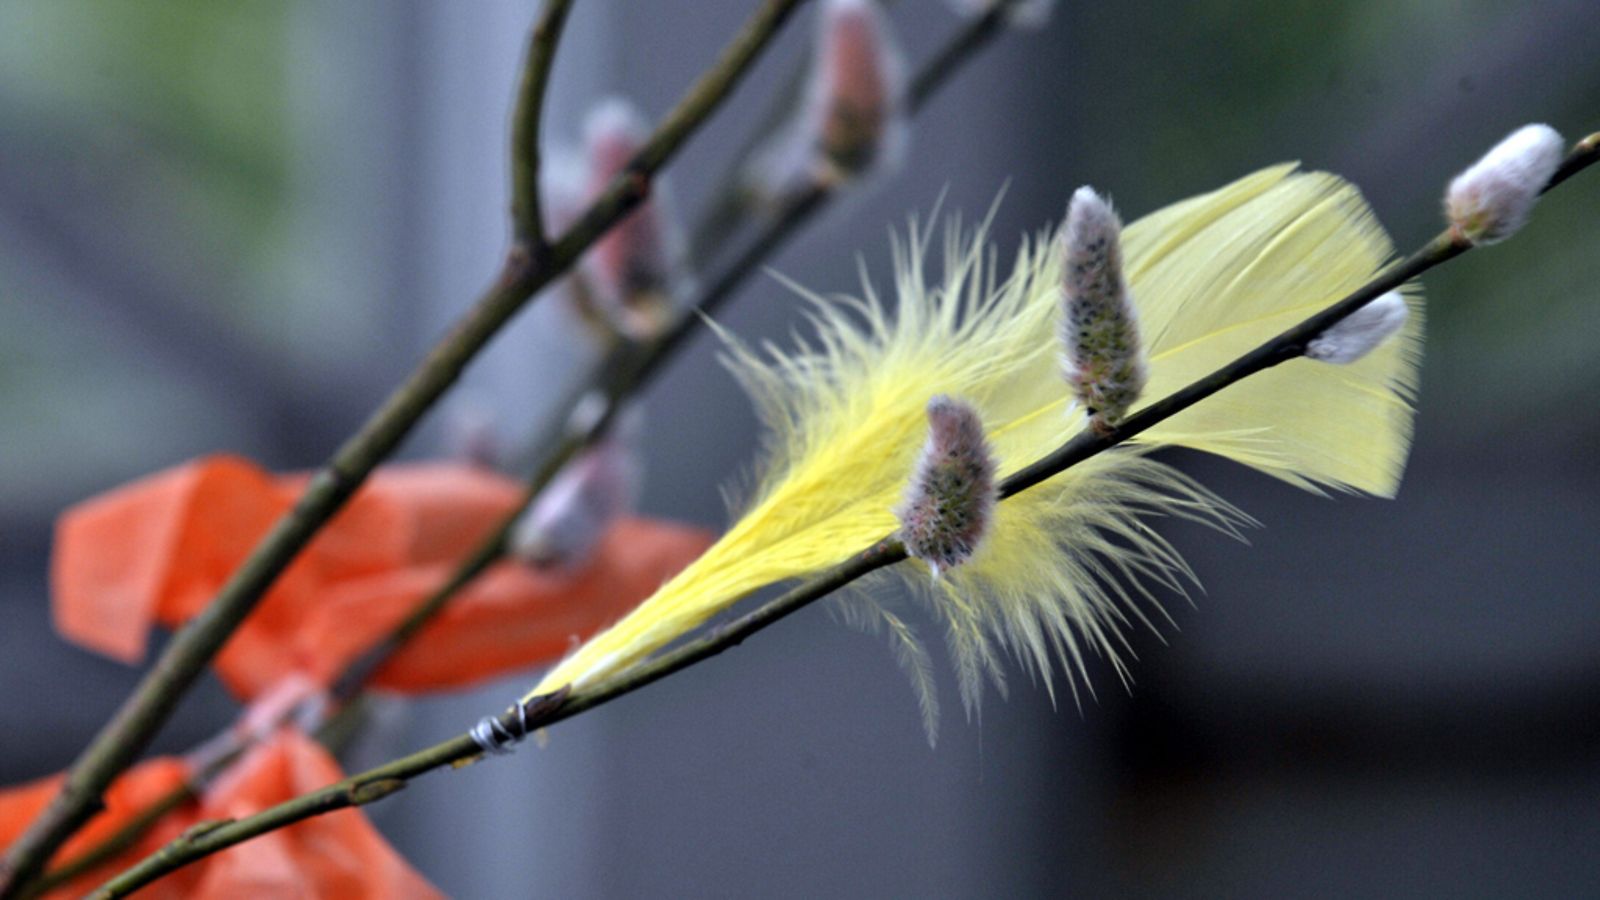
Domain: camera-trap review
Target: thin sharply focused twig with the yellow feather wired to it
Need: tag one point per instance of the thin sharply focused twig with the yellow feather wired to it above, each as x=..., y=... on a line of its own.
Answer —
x=546, y=710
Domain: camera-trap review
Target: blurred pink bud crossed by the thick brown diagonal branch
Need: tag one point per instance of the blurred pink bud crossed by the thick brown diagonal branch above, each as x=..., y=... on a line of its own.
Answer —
x=631, y=271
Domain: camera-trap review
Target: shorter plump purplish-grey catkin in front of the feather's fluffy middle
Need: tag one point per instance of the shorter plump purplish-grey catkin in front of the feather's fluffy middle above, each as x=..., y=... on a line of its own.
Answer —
x=950, y=502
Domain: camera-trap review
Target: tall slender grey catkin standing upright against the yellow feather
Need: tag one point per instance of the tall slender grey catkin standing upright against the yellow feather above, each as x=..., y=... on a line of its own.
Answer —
x=1100, y=332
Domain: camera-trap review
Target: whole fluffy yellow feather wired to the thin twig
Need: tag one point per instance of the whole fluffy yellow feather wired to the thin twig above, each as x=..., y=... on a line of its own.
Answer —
x=1065, y=566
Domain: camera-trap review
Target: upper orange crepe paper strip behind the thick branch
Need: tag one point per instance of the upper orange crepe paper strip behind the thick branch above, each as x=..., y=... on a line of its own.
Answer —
x=158, y=552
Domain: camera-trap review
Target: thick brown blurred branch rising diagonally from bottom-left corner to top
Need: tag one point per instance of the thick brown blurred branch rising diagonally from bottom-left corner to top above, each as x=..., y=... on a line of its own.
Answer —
x=130, y=731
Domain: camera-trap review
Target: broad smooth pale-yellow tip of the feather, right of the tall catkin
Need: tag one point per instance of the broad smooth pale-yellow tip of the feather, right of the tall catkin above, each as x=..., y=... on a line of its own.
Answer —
x=1223, y=273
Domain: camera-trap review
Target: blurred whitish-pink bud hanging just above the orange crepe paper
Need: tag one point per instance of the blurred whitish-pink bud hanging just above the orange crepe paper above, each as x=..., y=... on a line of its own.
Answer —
x=572, y=516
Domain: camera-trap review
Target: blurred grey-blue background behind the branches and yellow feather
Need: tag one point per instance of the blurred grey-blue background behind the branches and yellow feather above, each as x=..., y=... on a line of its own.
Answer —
x=236, y=227
